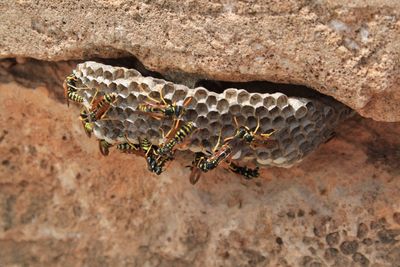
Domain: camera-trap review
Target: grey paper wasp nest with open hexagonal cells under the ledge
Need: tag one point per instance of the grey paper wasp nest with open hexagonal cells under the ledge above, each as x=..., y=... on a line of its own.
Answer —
x=300, y=124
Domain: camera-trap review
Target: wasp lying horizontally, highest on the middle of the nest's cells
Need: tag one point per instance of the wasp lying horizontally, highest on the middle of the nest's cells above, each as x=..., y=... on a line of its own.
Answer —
x=162, y=109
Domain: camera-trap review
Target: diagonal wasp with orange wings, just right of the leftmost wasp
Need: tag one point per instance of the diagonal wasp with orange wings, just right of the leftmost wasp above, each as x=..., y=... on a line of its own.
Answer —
x=97, y=111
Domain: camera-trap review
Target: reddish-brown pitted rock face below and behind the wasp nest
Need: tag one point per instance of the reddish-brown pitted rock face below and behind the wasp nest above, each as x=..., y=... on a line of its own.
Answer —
x=62, y=203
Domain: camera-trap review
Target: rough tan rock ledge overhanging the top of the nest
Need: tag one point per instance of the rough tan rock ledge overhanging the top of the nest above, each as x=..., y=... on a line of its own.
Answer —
x=347, y=50
